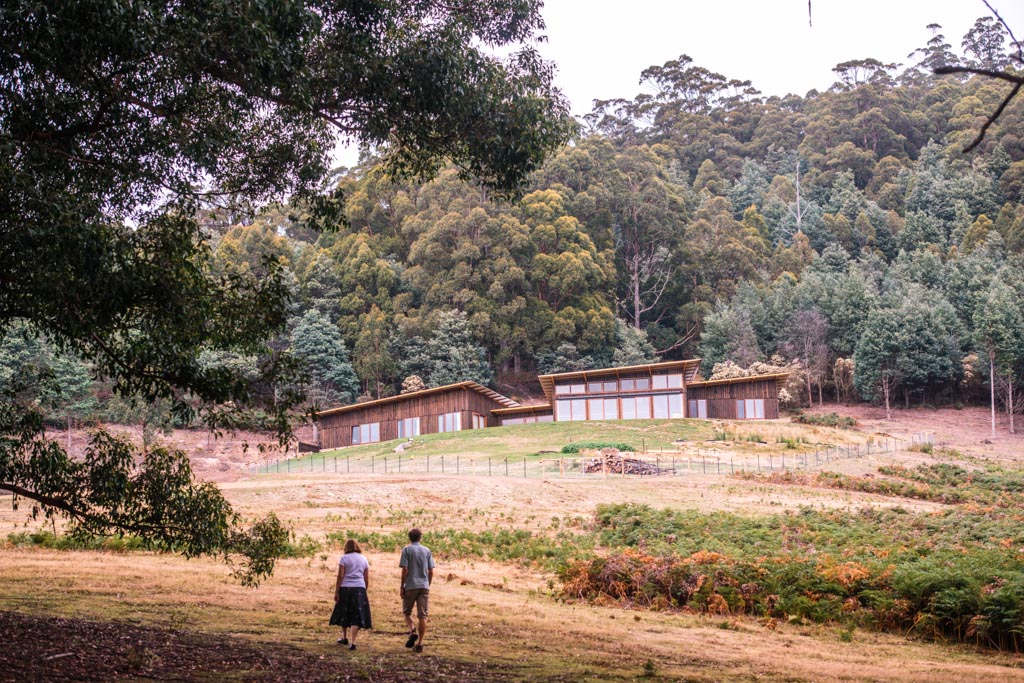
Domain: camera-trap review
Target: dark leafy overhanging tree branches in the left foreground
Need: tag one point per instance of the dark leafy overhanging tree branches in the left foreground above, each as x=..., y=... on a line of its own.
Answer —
x=120, y=121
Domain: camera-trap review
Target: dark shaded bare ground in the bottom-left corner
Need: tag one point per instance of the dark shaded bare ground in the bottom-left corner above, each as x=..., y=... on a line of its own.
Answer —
x=48, y=649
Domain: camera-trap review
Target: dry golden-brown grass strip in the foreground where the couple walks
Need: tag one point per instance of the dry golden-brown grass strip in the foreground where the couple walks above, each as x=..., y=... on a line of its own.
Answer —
x=484, y=614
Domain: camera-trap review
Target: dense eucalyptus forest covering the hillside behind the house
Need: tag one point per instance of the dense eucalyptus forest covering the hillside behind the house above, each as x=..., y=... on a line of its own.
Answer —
x=845, y=230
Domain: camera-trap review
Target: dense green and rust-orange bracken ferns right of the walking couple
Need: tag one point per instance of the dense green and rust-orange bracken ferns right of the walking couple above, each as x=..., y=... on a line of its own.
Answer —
x=958, y=574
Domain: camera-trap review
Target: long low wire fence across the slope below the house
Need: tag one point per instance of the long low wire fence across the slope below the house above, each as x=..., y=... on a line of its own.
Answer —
x=682, y=462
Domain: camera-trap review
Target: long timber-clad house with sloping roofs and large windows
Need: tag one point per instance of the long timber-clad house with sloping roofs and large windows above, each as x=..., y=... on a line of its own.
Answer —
x=663, y=391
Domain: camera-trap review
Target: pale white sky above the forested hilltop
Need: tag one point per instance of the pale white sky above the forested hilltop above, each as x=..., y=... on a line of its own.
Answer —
x=601, y=47
